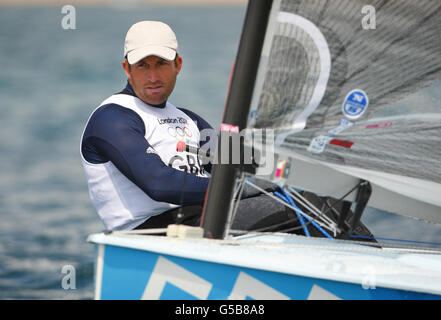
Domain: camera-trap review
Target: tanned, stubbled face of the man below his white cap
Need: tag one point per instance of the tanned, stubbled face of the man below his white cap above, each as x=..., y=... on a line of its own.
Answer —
x=153, y=78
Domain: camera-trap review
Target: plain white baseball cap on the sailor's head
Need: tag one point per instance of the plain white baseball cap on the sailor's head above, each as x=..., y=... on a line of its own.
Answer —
x=150, y=38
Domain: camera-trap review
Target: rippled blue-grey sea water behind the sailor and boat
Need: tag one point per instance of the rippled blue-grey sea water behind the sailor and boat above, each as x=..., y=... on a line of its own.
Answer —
x=51, y=80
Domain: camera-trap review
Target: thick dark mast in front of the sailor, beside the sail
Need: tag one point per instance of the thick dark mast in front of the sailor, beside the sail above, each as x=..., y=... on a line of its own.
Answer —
x=221, y=186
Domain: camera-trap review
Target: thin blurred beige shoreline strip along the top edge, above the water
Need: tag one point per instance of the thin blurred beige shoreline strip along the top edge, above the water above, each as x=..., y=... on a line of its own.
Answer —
x=122, y=2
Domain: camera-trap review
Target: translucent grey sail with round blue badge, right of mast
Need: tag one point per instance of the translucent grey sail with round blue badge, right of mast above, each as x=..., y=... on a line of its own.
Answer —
x=355, y=84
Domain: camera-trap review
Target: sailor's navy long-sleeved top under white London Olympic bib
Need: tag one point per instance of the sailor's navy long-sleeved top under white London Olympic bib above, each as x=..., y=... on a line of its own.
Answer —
x=133, y=169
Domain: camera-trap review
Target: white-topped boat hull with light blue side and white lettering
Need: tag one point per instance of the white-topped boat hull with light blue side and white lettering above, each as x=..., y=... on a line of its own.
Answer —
x=280, y=266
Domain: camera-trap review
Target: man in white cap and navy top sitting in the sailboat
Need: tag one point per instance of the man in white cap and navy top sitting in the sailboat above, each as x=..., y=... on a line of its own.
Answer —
x=135, y=174
